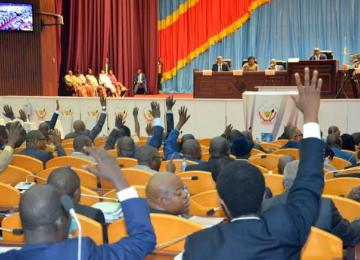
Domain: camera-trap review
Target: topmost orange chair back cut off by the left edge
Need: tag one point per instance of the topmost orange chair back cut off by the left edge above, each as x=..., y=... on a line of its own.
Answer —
x=13, y=175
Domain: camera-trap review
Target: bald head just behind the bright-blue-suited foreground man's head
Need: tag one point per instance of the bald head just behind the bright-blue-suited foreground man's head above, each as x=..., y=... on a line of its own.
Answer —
x=67, y=182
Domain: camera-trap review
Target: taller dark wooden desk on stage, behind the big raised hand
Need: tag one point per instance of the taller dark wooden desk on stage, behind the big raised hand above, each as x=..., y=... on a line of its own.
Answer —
x=327, y=71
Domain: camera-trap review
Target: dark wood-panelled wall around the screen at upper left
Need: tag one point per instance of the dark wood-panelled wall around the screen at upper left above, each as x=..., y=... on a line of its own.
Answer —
x=28, y=59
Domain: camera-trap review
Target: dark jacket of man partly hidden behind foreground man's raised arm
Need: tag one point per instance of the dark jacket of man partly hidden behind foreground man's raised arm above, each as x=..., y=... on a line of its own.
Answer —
x=329, y=219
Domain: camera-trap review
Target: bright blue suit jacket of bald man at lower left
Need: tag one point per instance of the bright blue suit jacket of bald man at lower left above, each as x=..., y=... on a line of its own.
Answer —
x=137, y=245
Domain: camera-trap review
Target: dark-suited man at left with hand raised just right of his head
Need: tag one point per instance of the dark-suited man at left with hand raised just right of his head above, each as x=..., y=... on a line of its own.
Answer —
x=36, y=146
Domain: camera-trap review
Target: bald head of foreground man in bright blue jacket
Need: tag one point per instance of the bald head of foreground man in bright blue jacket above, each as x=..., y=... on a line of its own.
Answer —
x=42, y=215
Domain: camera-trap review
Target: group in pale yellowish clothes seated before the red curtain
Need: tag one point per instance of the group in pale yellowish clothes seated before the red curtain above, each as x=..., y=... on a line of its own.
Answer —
x=106, y=84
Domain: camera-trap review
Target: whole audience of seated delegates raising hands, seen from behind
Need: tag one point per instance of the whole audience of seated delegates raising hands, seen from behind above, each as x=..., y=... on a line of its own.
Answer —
x=257, y=227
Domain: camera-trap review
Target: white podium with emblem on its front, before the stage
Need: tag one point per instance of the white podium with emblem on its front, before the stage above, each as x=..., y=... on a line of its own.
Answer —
x=266, y=113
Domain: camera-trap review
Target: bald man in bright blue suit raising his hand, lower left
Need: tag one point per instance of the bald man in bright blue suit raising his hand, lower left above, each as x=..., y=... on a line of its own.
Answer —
x=46, y=224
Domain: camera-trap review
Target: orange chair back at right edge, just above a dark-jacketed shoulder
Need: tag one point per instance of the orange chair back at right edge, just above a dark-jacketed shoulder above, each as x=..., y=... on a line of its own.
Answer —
x=348, y=208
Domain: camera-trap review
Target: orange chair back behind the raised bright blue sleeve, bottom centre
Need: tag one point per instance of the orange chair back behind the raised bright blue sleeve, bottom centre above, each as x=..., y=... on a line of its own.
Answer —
x=168, y=228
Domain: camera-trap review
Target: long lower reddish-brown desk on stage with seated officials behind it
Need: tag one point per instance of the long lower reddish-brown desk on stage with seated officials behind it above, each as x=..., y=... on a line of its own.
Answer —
x=226, y=85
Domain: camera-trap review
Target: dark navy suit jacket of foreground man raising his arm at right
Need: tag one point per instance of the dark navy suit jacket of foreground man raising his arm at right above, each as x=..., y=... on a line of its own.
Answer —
x=280, y=232
